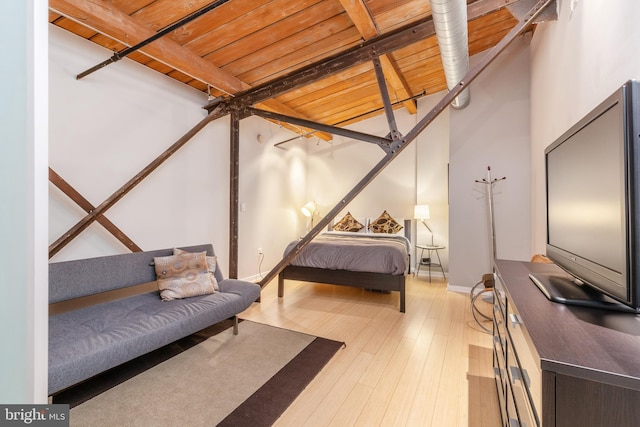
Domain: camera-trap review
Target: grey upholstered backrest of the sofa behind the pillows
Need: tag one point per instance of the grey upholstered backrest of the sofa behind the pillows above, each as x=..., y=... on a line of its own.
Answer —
x=79, y=278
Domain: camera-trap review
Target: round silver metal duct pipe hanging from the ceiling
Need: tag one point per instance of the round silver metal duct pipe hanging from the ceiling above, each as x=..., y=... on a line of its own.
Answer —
x=450, y=21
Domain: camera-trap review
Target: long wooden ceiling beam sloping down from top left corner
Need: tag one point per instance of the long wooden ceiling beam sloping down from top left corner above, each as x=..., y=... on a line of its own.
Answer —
x=110, y=21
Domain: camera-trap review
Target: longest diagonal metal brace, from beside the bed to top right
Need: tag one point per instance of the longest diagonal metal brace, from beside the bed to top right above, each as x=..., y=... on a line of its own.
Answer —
x=493, y=53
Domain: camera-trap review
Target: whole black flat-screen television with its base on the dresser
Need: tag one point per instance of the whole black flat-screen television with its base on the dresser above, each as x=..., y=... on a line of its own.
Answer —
x=593, y=207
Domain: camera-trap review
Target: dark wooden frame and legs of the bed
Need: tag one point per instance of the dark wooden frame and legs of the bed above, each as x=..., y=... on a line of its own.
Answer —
x=358, y=279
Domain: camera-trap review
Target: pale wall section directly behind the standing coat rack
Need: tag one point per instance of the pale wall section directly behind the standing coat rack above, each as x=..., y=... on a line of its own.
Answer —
x=493, y=131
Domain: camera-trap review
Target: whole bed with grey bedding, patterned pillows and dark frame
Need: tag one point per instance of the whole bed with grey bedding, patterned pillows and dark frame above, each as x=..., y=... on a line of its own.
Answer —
x=363, y=259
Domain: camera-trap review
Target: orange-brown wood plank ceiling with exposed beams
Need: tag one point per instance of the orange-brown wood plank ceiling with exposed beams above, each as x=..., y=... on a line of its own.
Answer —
x=241, y=44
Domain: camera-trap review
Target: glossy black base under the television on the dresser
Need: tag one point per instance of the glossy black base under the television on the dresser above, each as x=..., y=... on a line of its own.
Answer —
x=564, y=289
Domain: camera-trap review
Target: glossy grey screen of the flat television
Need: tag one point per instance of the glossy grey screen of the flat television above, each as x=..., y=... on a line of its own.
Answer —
x=585, y=195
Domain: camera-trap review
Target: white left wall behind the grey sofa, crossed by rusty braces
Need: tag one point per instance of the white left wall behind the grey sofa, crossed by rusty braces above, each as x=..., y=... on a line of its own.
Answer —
x=108, y=126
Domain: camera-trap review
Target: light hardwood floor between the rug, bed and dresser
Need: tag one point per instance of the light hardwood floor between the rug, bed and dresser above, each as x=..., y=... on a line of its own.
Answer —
x=431, y=366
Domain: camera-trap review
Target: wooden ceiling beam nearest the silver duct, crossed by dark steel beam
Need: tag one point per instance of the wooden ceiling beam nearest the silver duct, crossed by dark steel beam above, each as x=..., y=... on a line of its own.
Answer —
x=364, y=22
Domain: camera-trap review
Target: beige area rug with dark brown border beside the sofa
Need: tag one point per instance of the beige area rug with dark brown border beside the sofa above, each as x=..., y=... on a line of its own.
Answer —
x=211, y=378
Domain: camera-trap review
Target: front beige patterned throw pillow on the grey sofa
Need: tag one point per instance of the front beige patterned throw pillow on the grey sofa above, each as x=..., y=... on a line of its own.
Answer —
x=182, y=276
